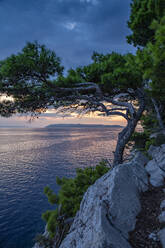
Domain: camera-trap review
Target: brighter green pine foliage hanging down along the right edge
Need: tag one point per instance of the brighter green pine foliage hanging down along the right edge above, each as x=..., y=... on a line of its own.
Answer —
x=151, y=61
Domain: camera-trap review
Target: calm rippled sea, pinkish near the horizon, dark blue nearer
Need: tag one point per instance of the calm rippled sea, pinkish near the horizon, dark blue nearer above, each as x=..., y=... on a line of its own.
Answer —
x=30, y=159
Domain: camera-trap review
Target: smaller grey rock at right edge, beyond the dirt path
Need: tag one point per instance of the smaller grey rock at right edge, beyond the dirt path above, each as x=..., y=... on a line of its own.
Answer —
x=156, y=167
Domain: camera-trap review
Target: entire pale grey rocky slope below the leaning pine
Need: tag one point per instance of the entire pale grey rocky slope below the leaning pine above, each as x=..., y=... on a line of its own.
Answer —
x=109, y=209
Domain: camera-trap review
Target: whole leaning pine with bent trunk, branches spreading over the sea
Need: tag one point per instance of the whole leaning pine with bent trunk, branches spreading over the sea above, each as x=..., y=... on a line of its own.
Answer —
x=114, y=82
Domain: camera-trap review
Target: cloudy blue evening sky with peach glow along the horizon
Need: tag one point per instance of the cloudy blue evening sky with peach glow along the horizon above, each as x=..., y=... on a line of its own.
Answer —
x=72, y=28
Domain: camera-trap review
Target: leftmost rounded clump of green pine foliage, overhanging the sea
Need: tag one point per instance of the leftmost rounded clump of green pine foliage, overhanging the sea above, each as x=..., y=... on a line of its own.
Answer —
x=26, y=77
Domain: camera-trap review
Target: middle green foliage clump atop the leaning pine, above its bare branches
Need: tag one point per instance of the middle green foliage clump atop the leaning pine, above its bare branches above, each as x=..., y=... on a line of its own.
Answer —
x=112, y=71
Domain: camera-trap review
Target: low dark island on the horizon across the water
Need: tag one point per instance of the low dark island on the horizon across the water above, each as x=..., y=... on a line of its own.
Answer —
x=81, y=126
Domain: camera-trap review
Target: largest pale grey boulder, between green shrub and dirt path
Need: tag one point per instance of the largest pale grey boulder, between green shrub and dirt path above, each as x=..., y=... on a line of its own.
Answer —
x=109, y=208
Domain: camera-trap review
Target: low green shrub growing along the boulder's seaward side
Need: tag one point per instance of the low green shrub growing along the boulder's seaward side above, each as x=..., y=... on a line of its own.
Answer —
x=70, y=194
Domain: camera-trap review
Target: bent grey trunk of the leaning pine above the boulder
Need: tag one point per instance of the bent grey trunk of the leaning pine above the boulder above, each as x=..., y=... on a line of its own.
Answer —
x=125, y=135
